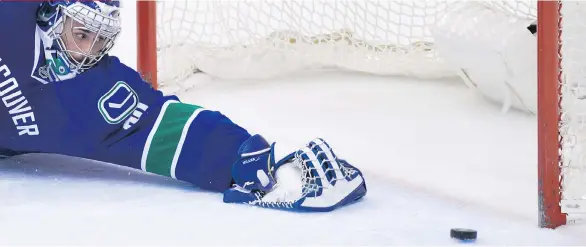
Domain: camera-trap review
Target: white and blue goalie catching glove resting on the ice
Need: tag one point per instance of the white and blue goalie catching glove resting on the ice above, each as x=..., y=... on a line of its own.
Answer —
x=309, y=179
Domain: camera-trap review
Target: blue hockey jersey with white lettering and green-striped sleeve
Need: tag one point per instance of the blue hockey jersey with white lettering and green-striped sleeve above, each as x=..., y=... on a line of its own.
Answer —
x=107, y=113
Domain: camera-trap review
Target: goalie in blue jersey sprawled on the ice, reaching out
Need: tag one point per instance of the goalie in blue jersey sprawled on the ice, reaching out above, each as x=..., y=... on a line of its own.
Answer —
x=62, y=93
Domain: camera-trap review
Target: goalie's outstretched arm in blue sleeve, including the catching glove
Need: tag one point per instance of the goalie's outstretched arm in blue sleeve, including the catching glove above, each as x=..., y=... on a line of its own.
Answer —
x=138, y=127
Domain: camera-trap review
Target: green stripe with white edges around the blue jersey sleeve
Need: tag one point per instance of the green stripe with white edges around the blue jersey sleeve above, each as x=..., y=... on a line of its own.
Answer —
x=166, y=139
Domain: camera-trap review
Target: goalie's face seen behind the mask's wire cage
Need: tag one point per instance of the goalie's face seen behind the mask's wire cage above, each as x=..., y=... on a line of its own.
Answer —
x=81, y=43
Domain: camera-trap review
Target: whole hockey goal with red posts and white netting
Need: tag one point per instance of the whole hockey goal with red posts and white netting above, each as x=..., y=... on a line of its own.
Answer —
x=237, y=39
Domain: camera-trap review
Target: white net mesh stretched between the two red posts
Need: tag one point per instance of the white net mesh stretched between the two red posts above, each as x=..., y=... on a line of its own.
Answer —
x=259, y=39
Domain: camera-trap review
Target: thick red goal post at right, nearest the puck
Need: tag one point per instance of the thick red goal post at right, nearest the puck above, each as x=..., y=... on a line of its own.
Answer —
x=549, y=78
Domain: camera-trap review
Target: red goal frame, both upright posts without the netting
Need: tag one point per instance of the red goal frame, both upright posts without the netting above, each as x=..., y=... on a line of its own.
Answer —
x=550, y=80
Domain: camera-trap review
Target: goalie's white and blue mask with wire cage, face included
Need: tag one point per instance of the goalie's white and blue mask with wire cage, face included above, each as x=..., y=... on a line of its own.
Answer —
x=83, y=31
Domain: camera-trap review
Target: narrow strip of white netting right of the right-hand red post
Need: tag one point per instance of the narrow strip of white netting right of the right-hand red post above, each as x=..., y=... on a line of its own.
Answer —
x=573, y=103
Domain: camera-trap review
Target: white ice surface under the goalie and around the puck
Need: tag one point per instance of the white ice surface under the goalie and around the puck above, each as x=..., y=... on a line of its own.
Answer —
x=435, y=156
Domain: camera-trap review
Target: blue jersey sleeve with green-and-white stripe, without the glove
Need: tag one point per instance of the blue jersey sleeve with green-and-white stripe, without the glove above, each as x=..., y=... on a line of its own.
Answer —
x=116, y=117
